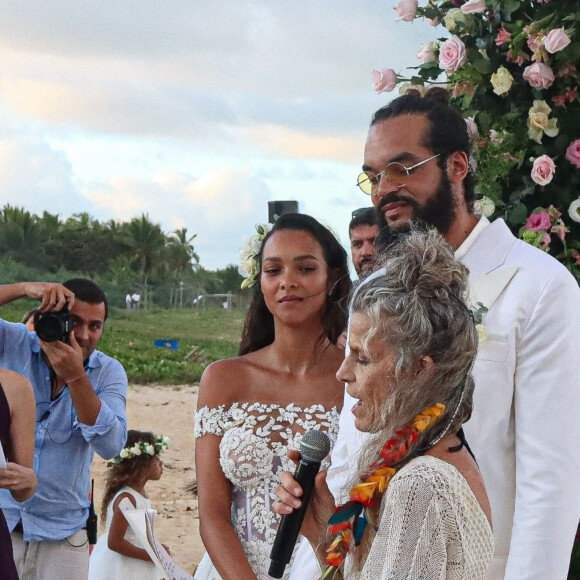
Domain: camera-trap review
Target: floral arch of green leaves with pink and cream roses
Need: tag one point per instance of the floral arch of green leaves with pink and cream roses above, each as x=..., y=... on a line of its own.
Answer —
x=512, y=68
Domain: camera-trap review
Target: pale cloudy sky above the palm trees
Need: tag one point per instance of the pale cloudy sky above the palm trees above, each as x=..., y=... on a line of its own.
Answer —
x=196, y=113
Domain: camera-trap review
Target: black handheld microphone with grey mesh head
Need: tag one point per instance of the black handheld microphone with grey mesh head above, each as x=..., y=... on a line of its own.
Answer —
x=314, y=447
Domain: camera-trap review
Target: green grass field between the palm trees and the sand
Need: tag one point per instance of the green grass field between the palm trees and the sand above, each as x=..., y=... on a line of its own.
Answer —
x=128, y=337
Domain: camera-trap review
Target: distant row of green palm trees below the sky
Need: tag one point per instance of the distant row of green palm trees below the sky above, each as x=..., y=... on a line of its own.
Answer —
x=120, y=257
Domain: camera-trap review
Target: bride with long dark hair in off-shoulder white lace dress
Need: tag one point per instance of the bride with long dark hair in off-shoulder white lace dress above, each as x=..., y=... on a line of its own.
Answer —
x=254, y=408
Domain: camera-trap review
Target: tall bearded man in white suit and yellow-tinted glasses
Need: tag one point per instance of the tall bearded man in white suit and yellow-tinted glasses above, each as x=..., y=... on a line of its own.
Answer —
x=525, y=430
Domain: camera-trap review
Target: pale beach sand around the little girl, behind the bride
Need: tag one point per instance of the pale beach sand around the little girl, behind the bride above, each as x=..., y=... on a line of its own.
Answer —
x=167, y=410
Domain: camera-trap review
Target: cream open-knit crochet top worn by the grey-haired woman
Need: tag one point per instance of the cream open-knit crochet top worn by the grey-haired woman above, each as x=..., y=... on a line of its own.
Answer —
x=431, y=527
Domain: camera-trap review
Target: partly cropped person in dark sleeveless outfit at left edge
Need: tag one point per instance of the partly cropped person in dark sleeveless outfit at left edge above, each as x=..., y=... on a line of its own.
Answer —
x=17, y=439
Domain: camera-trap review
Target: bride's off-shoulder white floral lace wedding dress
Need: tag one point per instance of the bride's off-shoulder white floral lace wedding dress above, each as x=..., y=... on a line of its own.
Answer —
x=256, y=438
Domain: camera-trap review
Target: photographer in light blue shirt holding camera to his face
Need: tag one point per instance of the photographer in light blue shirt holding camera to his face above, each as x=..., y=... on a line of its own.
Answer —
x=80, y=409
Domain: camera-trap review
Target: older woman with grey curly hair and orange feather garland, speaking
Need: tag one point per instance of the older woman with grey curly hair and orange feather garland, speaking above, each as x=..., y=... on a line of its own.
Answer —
x=418, y=508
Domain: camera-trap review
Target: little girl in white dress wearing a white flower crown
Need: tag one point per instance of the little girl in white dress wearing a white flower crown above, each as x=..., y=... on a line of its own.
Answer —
x=118, y=553
